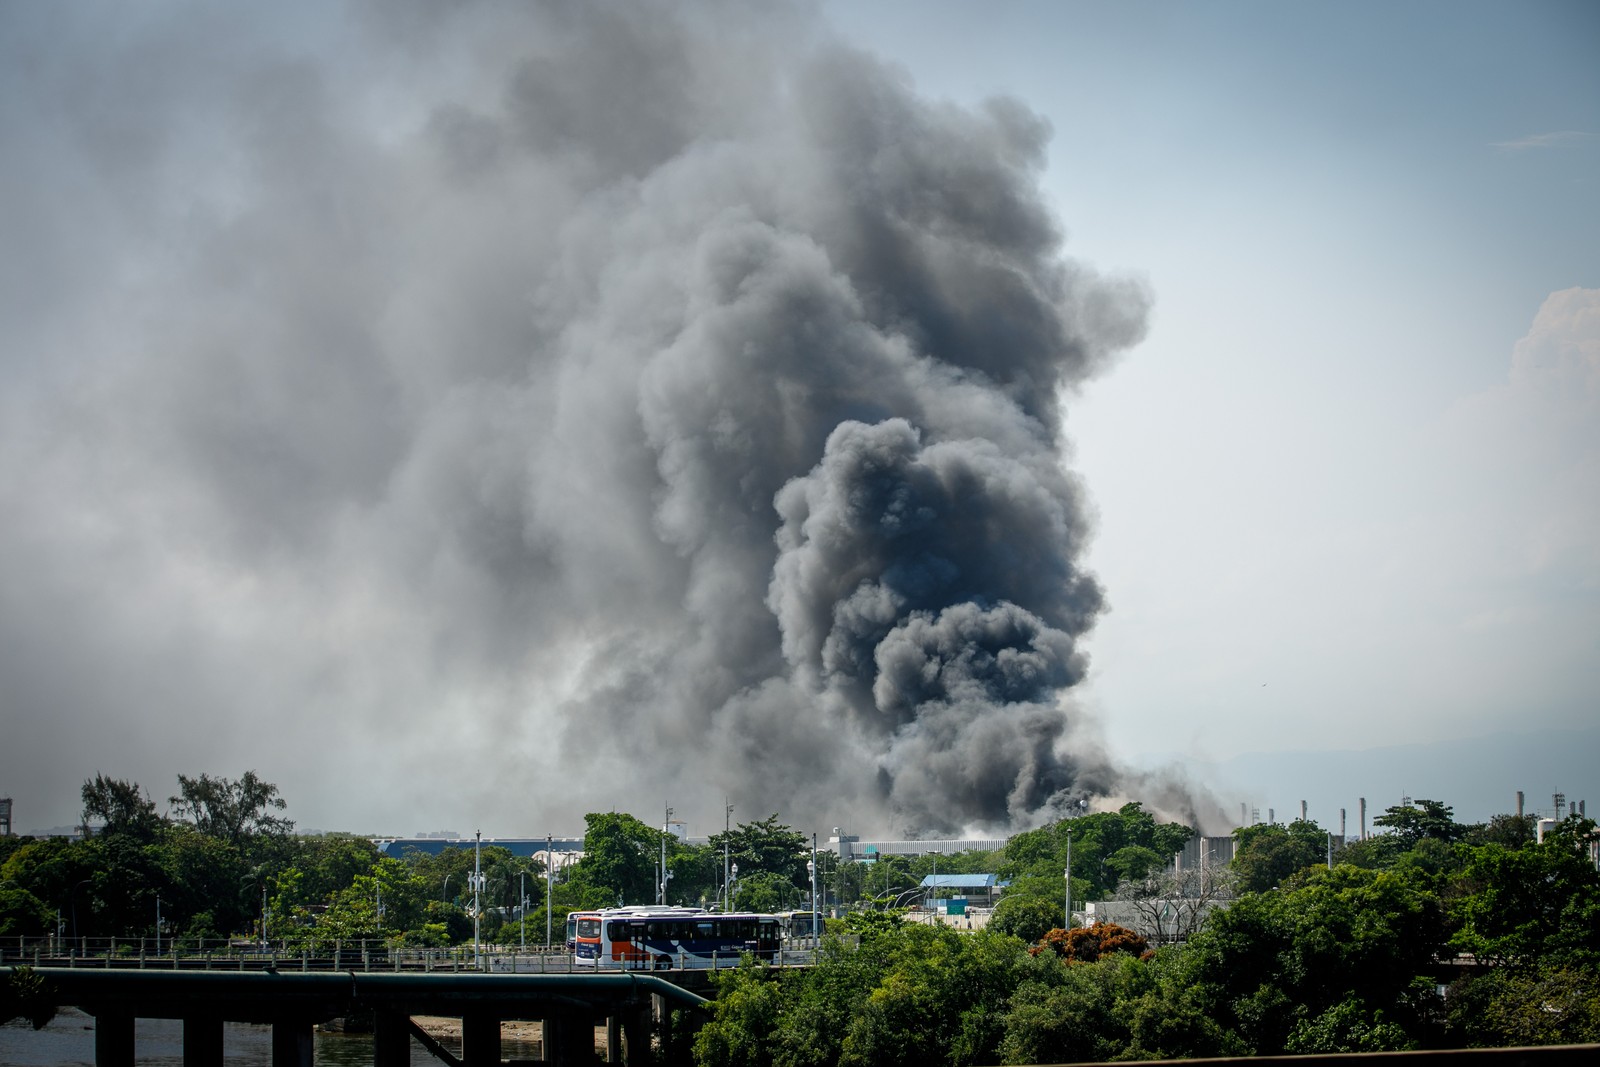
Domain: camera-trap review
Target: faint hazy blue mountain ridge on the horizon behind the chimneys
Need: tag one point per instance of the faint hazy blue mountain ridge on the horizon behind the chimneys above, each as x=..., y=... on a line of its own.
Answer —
x=1476, y=777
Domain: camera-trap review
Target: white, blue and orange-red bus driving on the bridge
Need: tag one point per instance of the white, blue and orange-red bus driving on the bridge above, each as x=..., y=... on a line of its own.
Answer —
x=650, y=938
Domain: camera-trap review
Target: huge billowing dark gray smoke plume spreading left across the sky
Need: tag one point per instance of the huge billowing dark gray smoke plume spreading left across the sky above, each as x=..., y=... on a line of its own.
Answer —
x=670, y=390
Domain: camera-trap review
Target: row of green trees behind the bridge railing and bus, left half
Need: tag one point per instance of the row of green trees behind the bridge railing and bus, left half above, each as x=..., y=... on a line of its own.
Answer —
x=222, y=863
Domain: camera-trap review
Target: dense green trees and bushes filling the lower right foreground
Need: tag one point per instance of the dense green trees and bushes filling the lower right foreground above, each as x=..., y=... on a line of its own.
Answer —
x=1358, y=956
